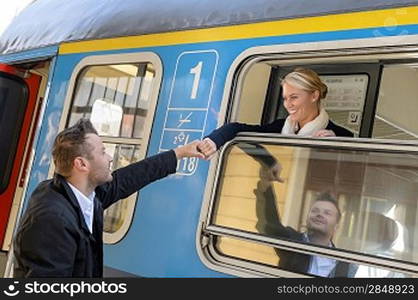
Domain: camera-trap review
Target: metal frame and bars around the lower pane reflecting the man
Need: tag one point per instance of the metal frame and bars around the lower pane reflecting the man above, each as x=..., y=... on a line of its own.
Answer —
x=339, y=254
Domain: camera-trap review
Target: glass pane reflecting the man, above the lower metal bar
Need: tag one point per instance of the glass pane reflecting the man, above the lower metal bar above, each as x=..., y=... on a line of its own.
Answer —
x=373, y=217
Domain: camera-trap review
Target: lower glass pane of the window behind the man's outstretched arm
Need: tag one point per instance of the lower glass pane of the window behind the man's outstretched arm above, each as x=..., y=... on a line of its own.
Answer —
x=123, y=155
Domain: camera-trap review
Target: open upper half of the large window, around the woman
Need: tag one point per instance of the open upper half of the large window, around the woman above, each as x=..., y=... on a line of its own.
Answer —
x=375, y=100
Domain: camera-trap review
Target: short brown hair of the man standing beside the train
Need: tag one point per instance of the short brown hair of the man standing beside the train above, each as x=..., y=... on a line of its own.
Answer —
x=69, y=144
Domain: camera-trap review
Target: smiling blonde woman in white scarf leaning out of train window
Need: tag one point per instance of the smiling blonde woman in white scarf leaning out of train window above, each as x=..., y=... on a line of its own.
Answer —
x=302, y=93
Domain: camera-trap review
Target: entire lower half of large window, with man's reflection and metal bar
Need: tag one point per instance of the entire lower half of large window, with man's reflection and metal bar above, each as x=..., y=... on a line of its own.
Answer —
x=322, y=209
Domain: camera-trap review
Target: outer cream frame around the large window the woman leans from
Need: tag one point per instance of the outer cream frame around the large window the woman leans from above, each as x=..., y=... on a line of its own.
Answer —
x=356, y=50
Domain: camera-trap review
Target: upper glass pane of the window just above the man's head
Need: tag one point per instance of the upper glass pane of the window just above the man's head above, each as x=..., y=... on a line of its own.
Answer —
x=125, y=89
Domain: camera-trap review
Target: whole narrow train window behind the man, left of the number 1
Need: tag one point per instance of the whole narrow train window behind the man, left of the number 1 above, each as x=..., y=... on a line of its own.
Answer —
x=120, y=100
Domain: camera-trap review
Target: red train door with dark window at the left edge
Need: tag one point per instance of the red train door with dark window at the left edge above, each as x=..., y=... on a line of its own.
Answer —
x=18, y=94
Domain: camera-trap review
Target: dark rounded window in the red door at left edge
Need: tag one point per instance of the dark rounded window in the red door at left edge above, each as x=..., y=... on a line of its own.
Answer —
x=13, y=102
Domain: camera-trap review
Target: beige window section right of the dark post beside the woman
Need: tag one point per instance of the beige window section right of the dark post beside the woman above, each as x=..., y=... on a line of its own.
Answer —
x=397, y=103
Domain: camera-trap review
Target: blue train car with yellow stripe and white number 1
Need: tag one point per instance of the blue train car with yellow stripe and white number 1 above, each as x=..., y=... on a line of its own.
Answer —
x=155, y=75
